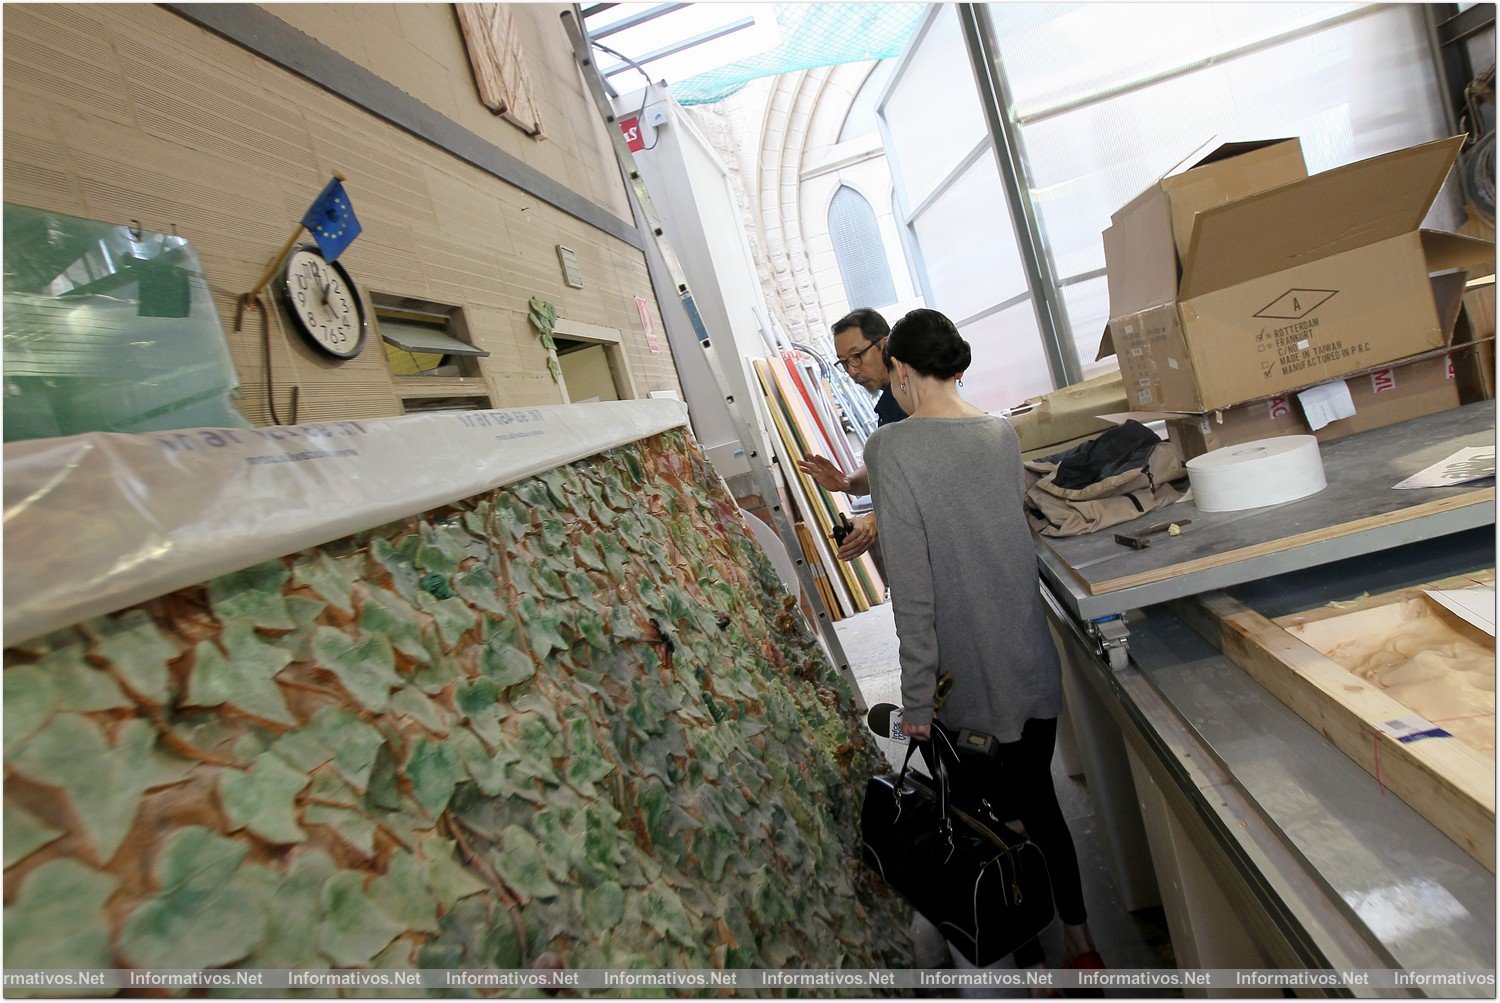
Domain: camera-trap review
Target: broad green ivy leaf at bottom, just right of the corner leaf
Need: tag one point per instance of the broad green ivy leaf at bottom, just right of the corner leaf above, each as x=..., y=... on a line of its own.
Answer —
x=200, y=918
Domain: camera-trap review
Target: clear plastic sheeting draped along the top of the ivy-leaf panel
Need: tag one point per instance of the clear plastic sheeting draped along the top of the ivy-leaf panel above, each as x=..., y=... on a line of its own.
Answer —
x=103, y=521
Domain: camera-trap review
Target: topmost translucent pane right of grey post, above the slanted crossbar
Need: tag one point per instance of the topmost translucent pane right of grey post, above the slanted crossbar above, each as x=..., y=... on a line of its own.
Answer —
x=1105, y=46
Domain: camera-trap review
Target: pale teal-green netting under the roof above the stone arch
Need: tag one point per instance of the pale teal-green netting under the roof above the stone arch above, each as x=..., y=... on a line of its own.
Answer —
x=812, y=35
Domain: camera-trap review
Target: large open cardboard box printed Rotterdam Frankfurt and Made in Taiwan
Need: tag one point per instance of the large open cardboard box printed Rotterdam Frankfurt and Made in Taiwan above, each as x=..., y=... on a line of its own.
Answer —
x=1286, y=287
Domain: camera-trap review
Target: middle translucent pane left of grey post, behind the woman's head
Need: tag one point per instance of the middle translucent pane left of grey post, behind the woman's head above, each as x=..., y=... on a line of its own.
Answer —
x=968, y=245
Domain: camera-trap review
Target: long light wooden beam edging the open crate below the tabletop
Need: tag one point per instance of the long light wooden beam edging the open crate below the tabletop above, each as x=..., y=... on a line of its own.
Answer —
x=1448, y=783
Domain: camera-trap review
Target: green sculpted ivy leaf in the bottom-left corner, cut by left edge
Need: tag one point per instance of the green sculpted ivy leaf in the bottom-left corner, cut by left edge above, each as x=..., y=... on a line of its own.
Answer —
x=58, y=920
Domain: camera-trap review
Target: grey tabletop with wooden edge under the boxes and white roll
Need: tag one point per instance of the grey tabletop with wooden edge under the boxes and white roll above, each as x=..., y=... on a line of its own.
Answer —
x=1360, y=499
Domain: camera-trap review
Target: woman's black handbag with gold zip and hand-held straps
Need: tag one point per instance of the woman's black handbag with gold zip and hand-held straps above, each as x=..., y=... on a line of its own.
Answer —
x=985, y=887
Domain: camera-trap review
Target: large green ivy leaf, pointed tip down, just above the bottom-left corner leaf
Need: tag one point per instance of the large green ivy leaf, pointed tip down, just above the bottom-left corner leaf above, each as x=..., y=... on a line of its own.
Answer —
x=104, y=783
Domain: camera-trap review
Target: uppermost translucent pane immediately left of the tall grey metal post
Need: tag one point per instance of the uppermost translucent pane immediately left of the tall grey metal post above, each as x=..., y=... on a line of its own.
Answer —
x=934, y=115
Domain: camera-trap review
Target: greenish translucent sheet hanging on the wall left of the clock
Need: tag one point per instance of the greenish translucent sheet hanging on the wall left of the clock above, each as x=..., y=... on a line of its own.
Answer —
x=109, y=331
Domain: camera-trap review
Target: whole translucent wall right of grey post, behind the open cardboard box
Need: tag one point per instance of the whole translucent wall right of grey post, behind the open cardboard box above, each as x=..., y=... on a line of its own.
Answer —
x=1349, y=91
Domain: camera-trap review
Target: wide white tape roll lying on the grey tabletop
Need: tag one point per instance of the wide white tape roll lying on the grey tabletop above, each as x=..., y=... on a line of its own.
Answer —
x=1258, y=475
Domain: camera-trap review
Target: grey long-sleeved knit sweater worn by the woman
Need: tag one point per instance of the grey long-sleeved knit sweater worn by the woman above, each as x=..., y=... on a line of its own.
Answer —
x=964, y=573
